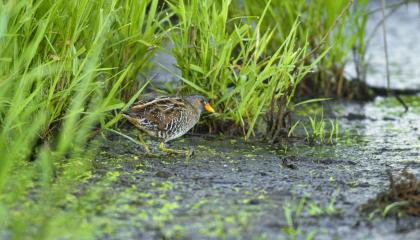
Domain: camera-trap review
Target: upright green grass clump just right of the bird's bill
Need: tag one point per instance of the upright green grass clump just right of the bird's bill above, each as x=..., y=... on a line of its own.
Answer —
x=229, y=60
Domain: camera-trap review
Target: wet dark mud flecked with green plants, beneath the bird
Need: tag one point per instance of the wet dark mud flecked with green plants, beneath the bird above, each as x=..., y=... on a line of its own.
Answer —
x=234, y=189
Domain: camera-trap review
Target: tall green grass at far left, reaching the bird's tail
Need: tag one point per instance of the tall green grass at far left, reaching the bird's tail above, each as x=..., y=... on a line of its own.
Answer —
x=64, y=66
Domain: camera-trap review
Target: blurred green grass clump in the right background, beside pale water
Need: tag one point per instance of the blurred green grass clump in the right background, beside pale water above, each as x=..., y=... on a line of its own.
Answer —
x=333, y=26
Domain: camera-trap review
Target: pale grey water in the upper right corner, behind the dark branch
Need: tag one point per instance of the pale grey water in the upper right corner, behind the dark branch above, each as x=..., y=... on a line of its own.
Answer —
x=403, y=47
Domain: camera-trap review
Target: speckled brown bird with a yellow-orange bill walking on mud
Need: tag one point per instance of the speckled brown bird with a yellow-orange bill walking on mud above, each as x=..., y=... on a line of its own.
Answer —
x=167, y=117
